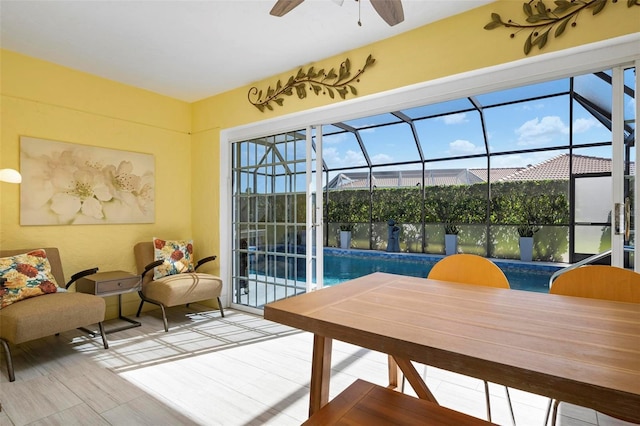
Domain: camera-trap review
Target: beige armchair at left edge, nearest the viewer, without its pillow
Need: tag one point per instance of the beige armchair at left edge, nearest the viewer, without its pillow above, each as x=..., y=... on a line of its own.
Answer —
x=48, y=314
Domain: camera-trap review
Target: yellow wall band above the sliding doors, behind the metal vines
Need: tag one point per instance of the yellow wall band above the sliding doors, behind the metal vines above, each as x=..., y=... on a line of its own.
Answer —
x=446, y=47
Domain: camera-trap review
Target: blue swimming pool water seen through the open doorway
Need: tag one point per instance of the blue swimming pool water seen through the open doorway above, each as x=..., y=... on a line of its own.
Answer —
x=343, y=265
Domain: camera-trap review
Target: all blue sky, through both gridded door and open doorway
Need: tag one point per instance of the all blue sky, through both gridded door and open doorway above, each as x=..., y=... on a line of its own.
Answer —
x=454, y=129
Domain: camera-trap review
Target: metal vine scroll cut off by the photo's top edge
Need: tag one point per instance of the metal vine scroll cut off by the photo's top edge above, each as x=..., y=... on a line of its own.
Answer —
x=541, y=20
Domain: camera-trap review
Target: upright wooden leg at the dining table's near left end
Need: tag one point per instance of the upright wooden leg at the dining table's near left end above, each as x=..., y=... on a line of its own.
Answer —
x=320, y=373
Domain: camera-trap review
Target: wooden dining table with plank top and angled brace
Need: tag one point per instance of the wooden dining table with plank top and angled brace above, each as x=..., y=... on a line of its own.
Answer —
x=578, y=350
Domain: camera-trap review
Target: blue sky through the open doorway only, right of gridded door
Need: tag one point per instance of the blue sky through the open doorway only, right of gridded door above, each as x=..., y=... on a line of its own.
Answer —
x=540, y=123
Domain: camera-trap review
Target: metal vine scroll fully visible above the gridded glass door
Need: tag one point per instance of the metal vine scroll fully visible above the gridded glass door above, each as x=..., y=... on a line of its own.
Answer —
x=320, y=81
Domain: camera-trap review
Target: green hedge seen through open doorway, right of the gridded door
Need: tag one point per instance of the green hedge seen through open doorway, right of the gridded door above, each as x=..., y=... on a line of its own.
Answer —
x=512, y=203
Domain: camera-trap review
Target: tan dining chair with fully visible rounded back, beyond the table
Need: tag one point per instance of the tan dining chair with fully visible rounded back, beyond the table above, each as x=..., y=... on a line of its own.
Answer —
x=475, y=270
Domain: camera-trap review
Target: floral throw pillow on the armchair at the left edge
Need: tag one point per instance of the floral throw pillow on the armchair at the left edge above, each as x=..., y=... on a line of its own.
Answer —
x=27, y=275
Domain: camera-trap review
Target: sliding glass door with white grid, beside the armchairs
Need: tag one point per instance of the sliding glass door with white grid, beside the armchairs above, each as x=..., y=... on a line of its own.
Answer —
x=274, y=217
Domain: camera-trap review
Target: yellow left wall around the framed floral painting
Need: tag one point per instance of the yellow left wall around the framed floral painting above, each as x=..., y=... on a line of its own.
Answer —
x=47, y=101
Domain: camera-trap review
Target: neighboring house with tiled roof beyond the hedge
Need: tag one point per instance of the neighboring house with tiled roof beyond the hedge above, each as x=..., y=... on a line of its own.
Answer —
x=556, y=168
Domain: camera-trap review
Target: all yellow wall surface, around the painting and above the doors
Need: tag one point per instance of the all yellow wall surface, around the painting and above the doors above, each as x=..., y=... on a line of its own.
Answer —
x=44, y=100
